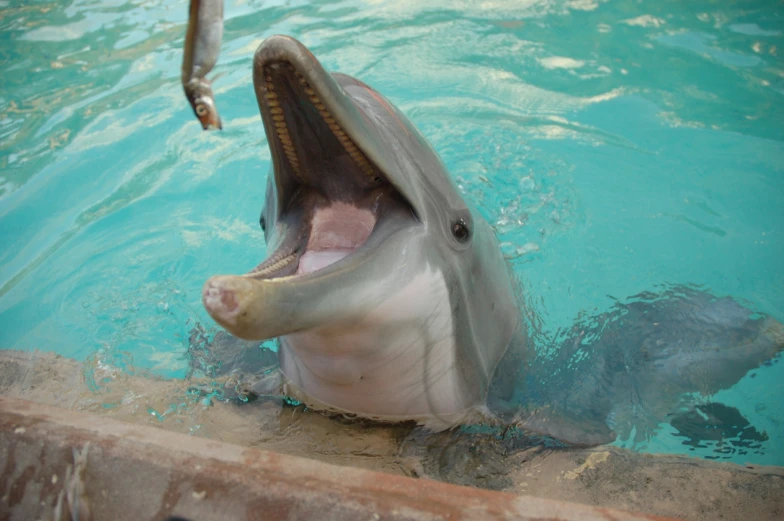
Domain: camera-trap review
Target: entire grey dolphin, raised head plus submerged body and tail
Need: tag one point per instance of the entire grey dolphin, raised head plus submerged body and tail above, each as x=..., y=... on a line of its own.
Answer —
x=390, y=298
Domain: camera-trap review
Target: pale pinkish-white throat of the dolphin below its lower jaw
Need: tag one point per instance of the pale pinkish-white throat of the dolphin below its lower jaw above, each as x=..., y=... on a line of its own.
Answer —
x=396, y=362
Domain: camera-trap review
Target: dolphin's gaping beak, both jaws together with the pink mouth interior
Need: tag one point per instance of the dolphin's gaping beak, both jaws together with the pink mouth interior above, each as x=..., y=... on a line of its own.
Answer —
x=331, y=206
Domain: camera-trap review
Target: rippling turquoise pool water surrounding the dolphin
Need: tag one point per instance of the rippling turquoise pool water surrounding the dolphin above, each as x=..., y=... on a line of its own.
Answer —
x=615, y=146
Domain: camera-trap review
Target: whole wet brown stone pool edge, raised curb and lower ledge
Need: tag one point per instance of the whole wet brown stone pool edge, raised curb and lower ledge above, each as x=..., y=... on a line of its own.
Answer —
x=141, y=467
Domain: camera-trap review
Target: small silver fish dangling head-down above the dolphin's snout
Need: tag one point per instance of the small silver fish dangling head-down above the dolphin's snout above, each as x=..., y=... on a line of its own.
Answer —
x=202, y=46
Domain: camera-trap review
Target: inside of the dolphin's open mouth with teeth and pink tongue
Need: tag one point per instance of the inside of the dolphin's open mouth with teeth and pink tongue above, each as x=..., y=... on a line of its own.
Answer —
x=331, y=197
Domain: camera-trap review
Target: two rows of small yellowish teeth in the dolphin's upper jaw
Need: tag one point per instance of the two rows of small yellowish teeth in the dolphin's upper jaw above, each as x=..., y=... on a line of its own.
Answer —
x=282, y=130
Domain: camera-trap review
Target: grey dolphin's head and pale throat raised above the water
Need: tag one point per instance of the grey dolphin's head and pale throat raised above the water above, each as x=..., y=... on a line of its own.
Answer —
x=388, y=291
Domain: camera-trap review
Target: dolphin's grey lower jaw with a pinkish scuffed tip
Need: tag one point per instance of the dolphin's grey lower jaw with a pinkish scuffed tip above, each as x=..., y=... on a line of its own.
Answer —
x=259, y=308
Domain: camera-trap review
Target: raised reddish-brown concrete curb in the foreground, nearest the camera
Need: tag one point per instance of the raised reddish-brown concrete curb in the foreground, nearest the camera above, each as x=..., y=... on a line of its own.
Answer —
x=138, y=473
